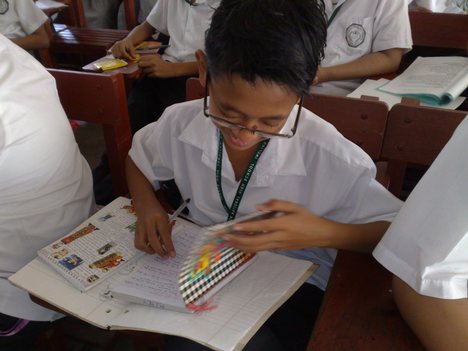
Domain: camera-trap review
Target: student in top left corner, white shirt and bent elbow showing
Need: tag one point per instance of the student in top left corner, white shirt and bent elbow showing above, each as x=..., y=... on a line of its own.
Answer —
x=22, y=22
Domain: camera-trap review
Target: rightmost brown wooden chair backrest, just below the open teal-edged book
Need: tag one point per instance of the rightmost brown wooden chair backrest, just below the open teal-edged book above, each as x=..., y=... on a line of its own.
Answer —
x=415, y=135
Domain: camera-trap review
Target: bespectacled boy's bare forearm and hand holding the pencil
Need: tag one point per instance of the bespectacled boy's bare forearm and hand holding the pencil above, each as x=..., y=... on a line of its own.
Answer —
x=152, y=230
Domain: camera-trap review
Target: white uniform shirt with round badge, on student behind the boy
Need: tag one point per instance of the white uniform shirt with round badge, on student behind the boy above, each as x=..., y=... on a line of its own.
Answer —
x=361, y=27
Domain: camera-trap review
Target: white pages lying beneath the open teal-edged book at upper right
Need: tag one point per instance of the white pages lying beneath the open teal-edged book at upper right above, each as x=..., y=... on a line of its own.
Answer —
x=370, y=87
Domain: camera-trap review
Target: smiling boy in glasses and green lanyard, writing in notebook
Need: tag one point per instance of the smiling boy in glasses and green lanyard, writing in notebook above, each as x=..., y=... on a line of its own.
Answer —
x=251, y=142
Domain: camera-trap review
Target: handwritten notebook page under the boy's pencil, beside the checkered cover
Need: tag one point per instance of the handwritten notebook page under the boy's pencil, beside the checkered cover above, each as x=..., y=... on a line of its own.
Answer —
x=155, y=282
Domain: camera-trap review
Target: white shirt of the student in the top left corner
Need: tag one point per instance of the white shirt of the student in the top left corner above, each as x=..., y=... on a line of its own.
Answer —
x=19, y=18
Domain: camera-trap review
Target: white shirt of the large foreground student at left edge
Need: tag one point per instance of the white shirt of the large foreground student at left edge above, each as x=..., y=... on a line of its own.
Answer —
x=45, y=183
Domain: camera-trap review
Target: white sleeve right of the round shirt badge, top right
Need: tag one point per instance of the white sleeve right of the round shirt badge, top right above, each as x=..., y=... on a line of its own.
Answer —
x=391, y=26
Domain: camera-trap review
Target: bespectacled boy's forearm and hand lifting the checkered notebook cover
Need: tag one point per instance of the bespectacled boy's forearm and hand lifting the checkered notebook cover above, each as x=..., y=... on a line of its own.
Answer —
x=298, y=228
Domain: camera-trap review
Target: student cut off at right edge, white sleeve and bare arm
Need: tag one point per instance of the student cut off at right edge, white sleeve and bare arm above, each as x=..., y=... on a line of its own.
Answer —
x=426, y=248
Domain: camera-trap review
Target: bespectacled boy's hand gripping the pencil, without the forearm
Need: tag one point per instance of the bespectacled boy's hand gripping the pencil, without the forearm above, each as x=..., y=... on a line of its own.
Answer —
x=153, y=232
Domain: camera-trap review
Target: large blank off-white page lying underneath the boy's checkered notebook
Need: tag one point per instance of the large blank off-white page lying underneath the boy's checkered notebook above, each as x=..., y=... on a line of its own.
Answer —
x=243, y=305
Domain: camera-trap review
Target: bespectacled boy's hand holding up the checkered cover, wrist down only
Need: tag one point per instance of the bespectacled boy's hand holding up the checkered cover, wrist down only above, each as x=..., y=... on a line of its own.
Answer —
x=296, y=229
